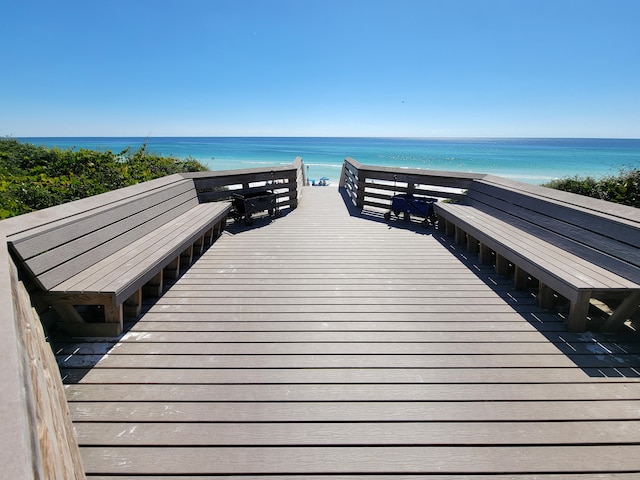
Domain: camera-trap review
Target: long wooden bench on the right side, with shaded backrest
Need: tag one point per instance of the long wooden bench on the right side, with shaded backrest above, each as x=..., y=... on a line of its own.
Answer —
x=578, y=247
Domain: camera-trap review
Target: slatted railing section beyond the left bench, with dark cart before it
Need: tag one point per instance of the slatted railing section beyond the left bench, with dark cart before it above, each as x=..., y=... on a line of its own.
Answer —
x=285, y=181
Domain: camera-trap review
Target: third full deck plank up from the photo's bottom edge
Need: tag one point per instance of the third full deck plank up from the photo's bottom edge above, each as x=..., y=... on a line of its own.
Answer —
x=416, y=411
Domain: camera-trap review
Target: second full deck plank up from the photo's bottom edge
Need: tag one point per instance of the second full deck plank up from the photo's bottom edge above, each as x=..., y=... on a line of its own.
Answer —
x=361, y=433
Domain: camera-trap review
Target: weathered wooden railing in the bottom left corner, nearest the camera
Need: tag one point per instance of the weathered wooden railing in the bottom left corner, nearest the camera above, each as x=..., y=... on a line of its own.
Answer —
x=39, y=441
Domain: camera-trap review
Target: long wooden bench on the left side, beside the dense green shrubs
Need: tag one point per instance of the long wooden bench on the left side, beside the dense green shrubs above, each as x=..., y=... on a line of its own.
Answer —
x=94, y=263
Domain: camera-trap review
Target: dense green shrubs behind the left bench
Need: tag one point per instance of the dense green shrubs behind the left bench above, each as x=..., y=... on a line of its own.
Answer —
x=34, y=177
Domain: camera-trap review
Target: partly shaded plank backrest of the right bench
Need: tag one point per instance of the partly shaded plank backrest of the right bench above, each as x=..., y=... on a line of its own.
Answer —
x=601, y=232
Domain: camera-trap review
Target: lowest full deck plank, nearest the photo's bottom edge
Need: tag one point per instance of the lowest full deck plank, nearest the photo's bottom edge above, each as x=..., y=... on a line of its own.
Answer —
x=336, y=460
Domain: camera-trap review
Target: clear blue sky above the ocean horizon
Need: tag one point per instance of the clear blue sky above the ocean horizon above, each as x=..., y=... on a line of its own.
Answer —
x=416, y=68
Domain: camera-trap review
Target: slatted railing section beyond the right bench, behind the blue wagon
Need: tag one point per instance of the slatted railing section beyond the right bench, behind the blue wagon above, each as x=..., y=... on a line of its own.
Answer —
x=372, y=186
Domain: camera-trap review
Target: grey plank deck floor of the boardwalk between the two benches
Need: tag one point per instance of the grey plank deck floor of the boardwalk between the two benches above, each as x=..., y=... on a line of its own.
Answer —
x=333, y=344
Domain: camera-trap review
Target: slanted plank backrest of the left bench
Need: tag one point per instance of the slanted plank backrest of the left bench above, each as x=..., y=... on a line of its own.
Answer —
x=55, y=251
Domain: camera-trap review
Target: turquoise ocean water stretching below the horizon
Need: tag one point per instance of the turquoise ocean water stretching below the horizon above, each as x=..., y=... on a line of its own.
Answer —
x=527, y=160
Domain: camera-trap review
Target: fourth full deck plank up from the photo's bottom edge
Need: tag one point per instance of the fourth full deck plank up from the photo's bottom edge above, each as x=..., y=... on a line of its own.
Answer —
x=461, y=392
